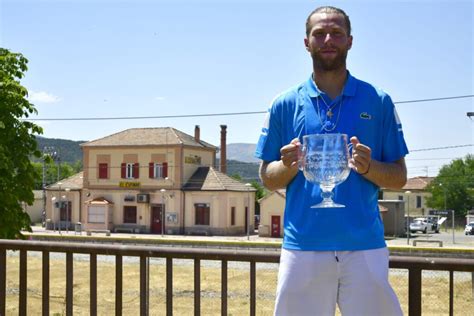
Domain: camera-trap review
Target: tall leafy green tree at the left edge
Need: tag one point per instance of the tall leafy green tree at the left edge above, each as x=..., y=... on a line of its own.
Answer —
x=17, y=145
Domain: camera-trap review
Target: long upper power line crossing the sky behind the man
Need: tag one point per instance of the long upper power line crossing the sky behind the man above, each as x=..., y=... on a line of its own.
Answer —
x=213, y=114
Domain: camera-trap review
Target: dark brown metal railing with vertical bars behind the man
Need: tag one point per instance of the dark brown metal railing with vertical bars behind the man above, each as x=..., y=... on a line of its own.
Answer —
x=414, y=265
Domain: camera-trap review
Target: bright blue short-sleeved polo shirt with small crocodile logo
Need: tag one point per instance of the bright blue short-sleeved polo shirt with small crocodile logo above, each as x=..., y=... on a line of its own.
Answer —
x=361, y=110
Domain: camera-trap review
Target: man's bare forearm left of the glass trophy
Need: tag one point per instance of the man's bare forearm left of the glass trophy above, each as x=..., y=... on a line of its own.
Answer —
x=275, y=175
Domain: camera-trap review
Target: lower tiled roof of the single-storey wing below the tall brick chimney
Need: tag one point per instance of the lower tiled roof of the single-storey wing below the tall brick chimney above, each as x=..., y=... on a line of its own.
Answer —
x=209, y=179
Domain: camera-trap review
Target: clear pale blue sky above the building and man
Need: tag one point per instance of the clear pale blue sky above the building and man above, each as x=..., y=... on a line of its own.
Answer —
x=150, y=58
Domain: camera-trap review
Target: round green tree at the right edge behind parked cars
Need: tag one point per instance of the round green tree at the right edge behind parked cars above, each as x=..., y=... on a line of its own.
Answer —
x=454, y=186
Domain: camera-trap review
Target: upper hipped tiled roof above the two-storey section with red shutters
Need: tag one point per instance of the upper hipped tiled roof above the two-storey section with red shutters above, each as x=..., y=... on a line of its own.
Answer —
x=148, y=137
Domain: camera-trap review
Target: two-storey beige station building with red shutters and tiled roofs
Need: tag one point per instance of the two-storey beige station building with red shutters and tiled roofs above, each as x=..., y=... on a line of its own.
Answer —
x=154, y=180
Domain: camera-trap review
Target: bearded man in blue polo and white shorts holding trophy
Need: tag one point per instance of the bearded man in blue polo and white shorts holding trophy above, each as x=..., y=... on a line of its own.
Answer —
x=334, y=255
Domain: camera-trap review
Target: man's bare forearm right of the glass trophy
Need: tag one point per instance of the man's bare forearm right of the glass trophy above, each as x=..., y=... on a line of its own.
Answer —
x=387, y=175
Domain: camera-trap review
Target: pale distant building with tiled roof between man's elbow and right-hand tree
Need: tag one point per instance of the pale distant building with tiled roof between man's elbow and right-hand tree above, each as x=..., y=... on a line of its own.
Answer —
x=413, y=193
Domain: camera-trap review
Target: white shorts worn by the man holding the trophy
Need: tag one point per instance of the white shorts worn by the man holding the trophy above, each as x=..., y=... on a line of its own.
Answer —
x=313, y=282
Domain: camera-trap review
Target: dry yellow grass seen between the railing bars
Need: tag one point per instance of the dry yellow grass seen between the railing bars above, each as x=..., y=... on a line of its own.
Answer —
x=435, y=289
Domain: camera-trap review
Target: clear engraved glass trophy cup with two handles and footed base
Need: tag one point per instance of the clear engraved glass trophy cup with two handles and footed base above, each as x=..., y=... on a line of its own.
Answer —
x=324, y=160
